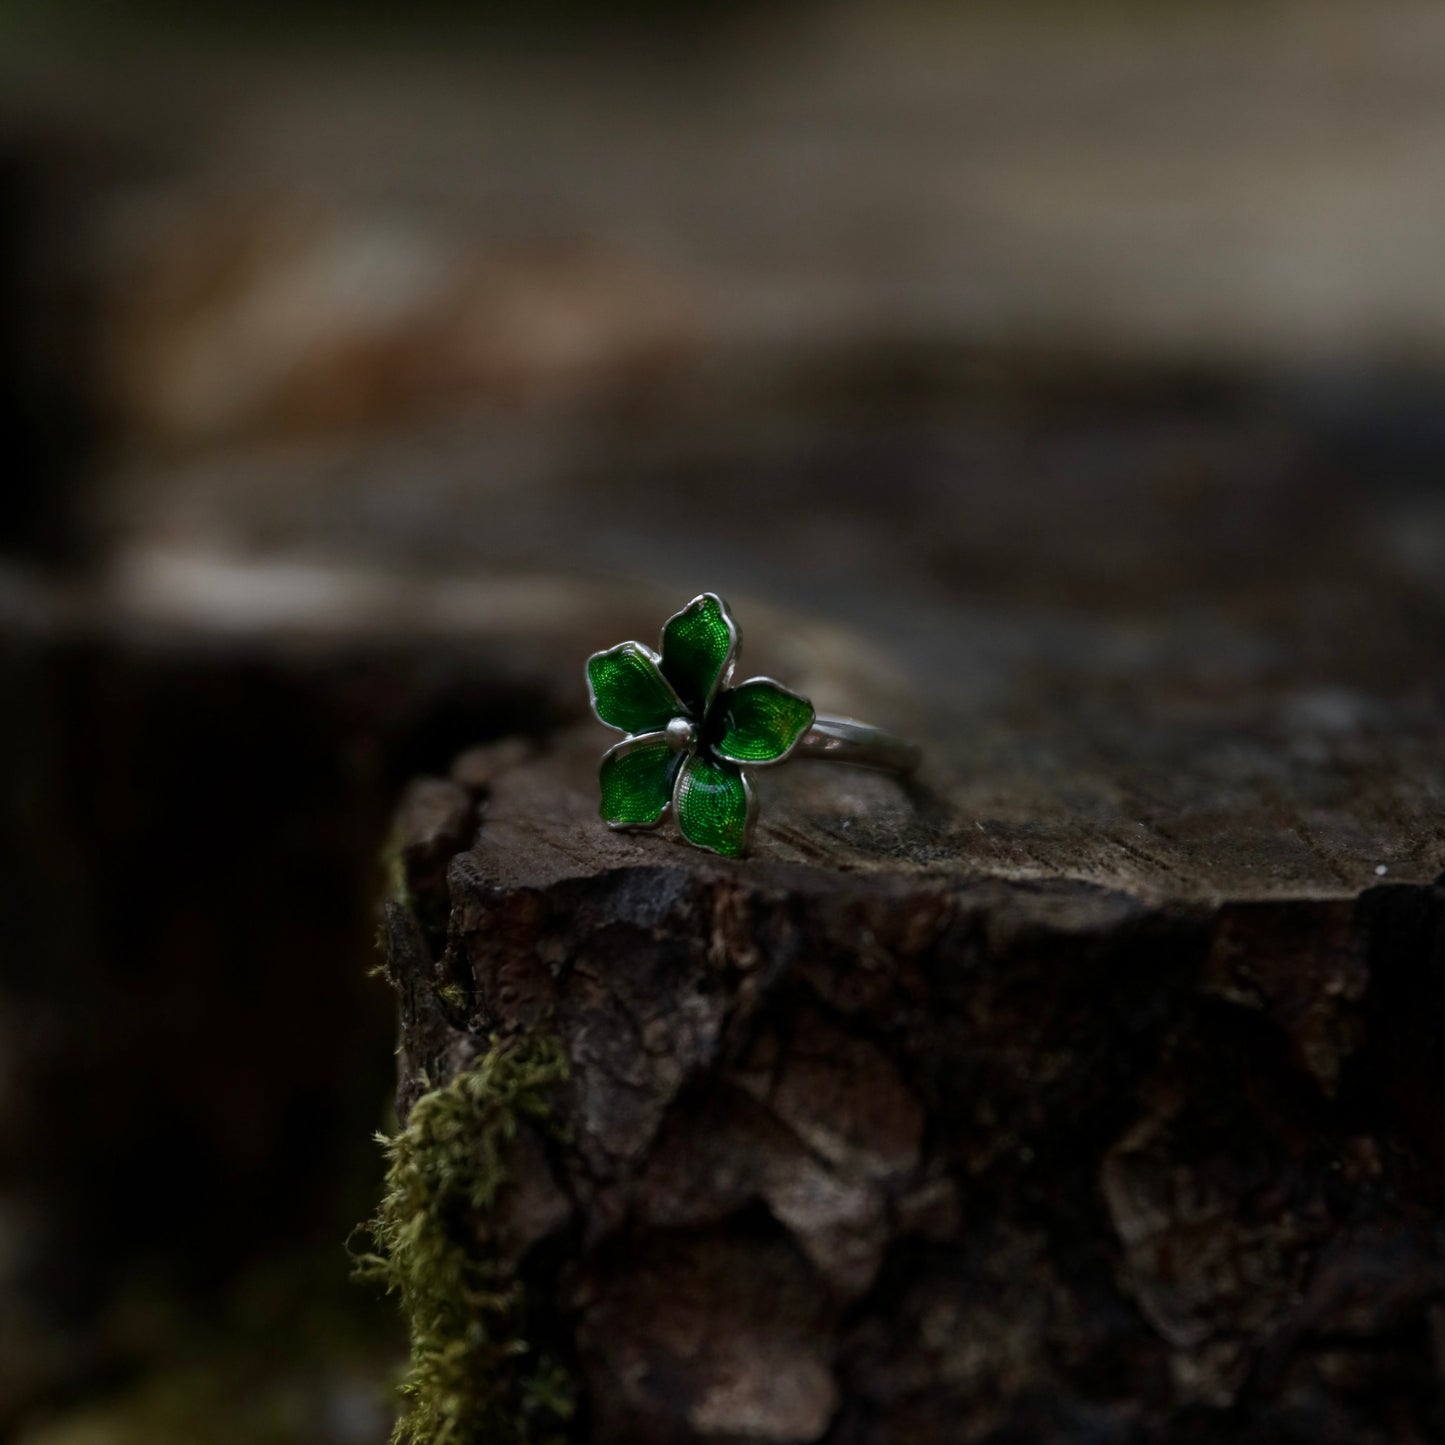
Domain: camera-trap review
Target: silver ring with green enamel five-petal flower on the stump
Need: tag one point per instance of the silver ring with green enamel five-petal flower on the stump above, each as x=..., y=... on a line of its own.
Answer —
x=693, y=736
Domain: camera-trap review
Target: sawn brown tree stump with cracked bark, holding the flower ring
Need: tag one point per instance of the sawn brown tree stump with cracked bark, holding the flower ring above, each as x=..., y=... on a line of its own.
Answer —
x=1084, y=1087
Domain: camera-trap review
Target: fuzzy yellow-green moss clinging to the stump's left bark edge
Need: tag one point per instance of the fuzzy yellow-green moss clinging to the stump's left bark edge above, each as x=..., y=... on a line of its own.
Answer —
x=473, y=1376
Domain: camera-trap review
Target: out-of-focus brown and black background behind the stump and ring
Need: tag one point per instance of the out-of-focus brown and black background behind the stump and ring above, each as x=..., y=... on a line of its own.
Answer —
x=363, y=368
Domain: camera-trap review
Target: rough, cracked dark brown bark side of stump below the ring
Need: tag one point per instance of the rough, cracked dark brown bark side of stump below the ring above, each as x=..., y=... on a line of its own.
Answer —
x=866, y=1145
